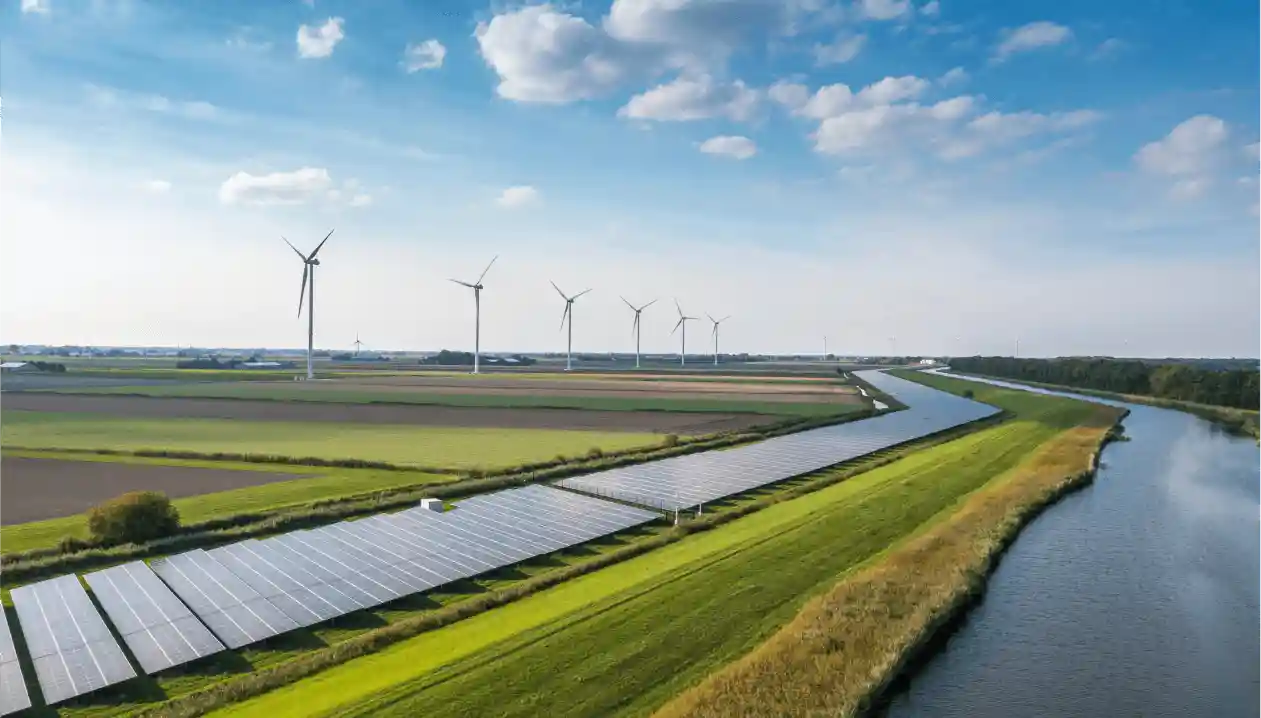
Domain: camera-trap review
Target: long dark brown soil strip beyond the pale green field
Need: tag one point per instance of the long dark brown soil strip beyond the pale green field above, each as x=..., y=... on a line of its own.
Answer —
x=427, y=416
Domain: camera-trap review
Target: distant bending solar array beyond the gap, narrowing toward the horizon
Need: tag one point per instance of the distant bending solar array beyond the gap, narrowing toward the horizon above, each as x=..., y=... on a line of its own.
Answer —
x=692, y=480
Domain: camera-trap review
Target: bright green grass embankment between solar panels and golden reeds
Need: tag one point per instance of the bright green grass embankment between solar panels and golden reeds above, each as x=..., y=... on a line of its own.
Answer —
x=625, y=640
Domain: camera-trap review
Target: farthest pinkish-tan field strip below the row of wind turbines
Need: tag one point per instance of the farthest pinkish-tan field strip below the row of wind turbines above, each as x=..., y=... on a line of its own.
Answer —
x=613, y=388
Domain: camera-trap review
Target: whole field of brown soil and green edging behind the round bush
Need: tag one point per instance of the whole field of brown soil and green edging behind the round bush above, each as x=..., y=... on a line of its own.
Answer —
x=263, y=488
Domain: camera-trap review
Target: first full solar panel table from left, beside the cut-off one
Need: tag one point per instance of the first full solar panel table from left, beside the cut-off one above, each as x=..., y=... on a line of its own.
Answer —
x=73, y=649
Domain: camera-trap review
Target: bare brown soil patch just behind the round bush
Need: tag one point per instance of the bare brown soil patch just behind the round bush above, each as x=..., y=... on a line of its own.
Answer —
x=49, y=489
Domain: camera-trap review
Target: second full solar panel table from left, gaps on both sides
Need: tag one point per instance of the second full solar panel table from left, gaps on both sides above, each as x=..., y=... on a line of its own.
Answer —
x=161, y=632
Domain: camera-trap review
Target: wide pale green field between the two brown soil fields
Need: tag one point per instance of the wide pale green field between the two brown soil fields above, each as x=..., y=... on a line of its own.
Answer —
x=447, y=447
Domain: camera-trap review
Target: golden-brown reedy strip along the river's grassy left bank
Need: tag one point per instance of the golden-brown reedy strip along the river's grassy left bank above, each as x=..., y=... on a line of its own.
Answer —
x=848, y=647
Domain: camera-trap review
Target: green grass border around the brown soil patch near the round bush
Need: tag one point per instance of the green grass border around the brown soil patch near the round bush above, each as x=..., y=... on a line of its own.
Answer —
x=321, y=484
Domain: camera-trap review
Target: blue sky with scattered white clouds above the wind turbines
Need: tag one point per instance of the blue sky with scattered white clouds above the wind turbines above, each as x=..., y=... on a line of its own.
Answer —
x=921, y=176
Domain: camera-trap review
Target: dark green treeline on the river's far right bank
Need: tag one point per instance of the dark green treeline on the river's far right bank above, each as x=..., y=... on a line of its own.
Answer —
x=1240, y=389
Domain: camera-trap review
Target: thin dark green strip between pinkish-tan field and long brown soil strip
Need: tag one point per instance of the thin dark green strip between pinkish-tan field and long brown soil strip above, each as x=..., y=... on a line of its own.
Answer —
x=334, y=392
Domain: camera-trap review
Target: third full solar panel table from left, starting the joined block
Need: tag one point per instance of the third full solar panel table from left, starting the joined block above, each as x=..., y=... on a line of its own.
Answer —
x=234, y=611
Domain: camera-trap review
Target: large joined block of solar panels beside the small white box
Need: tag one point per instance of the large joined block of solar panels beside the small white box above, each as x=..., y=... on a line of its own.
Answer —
x=255, y=590
